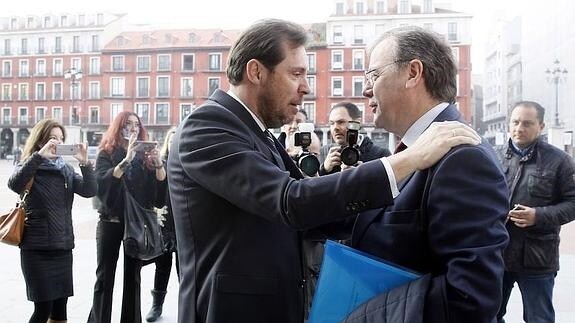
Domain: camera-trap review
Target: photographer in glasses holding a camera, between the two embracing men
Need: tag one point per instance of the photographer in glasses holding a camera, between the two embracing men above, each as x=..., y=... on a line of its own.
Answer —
x=349, y=148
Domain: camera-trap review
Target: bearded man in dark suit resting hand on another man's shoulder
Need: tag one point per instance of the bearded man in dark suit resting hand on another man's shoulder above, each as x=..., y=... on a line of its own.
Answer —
x=239, y=201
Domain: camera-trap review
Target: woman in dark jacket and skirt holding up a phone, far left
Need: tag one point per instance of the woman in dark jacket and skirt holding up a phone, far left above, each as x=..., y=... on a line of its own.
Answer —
x=46, y=247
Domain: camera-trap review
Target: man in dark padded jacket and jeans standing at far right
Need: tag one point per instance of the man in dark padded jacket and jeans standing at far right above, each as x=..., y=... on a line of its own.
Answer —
x=542, y=198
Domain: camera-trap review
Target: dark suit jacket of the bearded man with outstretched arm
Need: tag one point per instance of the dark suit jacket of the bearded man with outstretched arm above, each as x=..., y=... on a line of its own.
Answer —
x=237, y=210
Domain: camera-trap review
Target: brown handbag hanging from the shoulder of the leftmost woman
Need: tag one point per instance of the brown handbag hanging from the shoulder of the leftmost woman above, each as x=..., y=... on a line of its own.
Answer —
x=12, y=223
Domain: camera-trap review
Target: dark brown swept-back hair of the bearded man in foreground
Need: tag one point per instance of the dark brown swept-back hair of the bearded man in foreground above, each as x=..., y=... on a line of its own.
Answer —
x=263, y=41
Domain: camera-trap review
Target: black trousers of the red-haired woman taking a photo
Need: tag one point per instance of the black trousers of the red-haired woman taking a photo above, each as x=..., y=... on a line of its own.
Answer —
x=108, y=241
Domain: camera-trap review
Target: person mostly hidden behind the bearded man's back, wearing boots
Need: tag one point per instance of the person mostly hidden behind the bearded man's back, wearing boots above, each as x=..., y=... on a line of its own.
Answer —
x=164, y=262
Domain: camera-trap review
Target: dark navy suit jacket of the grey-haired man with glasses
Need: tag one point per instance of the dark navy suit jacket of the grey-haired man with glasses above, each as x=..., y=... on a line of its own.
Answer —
x=448, y=220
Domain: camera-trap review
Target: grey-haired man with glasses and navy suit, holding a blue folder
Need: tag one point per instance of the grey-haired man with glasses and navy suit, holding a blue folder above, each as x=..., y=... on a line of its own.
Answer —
x=448, y=220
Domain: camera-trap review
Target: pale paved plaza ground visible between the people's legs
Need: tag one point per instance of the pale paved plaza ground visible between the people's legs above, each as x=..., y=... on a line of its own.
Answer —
x=14, y=308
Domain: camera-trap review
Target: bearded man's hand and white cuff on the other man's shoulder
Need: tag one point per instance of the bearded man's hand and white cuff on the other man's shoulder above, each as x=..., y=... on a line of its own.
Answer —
x=431, y=146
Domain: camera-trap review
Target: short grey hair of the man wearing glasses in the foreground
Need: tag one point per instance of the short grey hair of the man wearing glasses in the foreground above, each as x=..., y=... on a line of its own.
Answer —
x=439, y=69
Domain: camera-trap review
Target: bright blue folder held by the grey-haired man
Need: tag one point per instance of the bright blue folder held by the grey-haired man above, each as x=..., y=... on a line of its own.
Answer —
x=350, y=277
